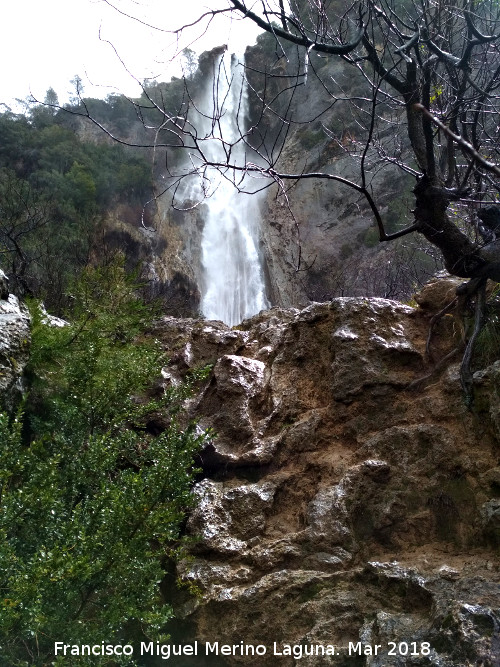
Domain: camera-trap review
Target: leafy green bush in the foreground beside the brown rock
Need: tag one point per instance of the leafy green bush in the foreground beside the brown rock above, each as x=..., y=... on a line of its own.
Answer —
x=93, y=497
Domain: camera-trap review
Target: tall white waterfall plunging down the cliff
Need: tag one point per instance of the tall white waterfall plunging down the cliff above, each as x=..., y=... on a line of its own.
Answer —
x=233, y=278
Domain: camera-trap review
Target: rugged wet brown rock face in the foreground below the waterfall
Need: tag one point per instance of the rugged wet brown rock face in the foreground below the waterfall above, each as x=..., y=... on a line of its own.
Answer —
x=336, y=505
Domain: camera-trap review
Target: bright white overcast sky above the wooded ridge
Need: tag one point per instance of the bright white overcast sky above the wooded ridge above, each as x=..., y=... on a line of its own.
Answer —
x=45, y=43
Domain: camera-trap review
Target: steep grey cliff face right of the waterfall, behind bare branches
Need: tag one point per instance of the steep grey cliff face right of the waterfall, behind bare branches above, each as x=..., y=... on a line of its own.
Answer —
x=321, y=241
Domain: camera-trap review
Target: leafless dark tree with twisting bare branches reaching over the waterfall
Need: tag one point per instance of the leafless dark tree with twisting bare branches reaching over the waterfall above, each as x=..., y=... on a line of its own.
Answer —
x=428, y=69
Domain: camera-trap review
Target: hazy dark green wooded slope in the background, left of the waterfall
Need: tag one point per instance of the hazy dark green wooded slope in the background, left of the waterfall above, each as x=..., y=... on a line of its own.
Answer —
x=55, y=189
